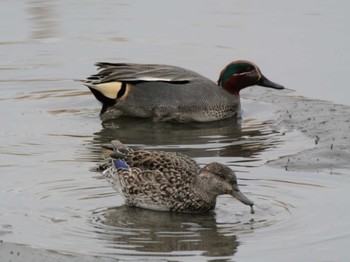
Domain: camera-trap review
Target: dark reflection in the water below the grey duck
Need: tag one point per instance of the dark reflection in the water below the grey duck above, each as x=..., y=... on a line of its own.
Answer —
x=225, y=138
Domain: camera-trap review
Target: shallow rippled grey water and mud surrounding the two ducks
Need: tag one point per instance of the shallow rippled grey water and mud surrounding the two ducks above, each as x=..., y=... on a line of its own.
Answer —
x=291, y=154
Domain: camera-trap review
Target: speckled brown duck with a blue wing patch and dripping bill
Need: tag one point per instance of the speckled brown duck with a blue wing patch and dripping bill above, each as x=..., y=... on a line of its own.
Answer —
x=168, y=181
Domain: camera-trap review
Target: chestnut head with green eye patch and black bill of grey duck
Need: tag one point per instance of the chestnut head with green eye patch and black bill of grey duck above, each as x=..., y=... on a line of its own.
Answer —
x=241, y=74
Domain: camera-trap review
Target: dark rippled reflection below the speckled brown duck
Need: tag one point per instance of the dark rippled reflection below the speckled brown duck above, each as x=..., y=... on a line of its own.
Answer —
x=165, y=232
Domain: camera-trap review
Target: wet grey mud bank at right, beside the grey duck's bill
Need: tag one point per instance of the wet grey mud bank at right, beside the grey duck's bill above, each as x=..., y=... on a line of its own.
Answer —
x=326, y=123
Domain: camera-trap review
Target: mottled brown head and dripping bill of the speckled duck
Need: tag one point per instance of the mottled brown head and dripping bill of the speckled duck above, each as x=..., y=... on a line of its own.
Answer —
x=217, y=179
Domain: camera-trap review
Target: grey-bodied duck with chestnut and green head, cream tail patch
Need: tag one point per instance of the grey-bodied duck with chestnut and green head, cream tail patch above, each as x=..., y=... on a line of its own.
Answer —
x=171, y=93
